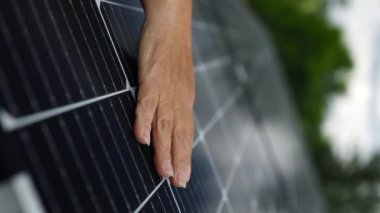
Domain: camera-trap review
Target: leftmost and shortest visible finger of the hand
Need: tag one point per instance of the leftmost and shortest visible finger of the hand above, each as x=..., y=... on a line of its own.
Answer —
x=147, y=101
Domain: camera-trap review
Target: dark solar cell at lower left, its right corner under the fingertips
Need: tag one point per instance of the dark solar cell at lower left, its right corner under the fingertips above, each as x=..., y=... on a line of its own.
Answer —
x=91, y=156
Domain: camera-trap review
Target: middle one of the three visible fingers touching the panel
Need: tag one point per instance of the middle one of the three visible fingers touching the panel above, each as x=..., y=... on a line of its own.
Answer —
x=162, y=130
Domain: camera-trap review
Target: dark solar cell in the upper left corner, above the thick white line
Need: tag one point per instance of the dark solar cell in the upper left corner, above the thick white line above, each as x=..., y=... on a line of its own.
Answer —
x=64, y=44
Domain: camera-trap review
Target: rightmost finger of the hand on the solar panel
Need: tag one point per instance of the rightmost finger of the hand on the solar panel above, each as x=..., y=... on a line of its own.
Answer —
x=182, y=137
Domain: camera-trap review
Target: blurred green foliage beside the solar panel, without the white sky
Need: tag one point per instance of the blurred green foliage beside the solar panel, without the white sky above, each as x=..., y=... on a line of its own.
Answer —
x=315, y=61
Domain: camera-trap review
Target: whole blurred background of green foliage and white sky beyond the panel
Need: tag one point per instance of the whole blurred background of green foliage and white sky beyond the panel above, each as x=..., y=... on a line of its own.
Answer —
x=329, y=51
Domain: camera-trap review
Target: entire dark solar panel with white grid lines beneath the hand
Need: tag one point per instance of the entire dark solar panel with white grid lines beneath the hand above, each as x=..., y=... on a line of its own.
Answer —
x=67, y=76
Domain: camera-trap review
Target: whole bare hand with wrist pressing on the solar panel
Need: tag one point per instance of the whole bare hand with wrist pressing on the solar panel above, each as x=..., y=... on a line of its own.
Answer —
x=166, y=88
